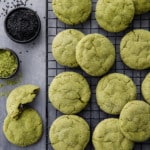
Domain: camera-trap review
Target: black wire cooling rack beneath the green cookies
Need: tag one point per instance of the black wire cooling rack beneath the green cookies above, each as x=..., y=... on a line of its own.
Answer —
x=92, y=114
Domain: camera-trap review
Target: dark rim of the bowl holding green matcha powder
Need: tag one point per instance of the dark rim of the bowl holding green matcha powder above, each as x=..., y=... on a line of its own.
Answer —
x=18, y=63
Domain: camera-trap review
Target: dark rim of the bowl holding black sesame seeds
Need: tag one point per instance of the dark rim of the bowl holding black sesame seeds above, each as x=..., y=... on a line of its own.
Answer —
x=24, y=41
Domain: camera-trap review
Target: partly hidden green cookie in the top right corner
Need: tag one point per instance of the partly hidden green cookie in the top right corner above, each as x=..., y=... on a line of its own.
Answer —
x=141, y=6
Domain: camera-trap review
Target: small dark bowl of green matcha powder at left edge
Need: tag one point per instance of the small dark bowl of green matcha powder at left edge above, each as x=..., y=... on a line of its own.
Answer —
x=9, y=63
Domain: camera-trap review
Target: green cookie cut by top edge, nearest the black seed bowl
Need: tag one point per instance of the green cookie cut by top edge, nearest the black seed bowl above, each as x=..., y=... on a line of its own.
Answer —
x=72, y=12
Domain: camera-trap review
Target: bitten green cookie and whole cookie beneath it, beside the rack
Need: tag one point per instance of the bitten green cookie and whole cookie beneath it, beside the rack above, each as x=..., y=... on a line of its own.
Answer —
x=23, y=125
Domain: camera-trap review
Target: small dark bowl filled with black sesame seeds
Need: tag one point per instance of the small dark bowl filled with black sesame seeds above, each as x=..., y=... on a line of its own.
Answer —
x=22, y=25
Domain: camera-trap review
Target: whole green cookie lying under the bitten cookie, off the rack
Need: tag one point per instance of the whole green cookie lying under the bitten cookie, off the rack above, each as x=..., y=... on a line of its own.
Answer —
x=26, y=130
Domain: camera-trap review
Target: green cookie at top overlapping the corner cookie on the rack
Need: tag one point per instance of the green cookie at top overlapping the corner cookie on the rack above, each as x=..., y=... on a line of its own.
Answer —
x=114, y=15
